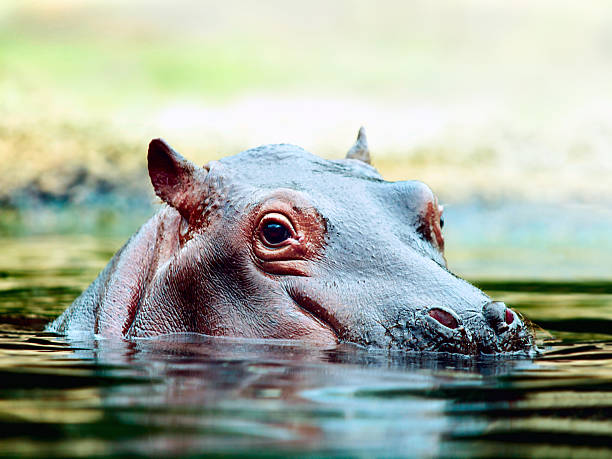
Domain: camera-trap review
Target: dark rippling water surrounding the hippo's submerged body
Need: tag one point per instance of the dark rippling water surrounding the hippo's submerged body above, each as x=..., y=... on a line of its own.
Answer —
x=188, y=396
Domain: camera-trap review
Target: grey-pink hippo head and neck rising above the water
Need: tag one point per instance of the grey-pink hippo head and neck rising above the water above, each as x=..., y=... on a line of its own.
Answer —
x=277, y=243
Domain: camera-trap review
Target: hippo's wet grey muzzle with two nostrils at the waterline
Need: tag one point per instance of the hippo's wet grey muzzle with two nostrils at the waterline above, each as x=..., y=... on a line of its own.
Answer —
x=424, y=318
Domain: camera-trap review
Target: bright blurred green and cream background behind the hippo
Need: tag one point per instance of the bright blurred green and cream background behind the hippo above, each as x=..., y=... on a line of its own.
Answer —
x=503, y=108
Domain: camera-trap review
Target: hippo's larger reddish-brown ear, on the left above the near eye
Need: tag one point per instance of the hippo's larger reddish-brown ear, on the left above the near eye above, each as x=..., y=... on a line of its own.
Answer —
x=176, y=180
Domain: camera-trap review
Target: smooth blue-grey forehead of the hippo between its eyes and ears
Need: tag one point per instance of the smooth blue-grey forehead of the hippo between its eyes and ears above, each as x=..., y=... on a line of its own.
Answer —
x=349, y=194
